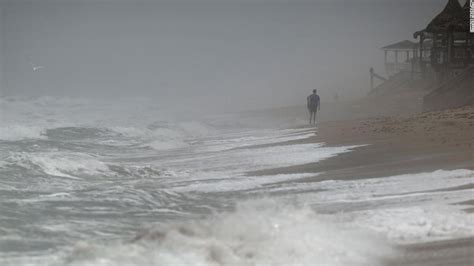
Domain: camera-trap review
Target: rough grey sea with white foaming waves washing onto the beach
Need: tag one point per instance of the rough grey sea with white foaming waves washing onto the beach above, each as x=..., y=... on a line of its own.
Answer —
x=97, y=182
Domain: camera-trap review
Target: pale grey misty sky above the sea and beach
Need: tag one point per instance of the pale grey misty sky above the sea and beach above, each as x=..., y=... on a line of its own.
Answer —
x=238, y=54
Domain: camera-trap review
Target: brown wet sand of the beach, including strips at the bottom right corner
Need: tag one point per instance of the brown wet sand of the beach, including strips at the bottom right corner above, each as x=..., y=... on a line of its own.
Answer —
x=400, y=145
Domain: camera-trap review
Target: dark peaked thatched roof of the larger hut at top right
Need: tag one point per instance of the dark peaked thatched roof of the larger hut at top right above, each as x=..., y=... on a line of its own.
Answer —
x=451, y=13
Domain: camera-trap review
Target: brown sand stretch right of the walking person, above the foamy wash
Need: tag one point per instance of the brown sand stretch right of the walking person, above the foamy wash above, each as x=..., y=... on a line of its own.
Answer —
x=394, y=145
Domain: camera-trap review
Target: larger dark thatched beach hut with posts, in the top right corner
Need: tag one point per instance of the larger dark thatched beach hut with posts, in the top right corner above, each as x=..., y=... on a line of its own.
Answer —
x=451, y=45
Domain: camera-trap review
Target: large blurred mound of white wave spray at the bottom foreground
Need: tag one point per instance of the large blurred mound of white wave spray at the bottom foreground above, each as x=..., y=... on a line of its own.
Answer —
x=256, y=233
